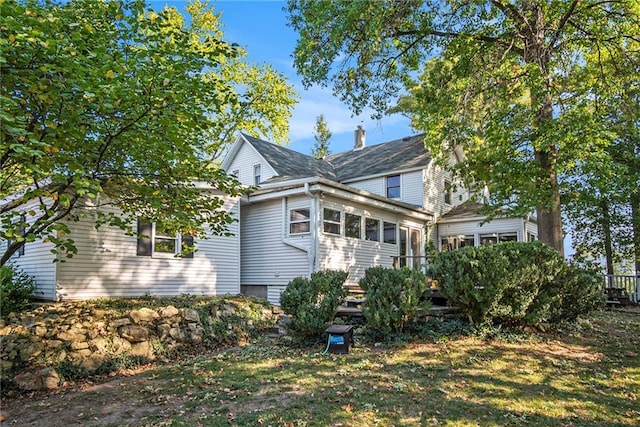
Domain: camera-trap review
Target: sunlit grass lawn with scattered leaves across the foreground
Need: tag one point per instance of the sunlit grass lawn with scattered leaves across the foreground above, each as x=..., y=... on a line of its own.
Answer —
x=587, y=377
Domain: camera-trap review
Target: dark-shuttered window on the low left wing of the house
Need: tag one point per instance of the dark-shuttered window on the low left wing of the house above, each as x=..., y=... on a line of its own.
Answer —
x=155, y=240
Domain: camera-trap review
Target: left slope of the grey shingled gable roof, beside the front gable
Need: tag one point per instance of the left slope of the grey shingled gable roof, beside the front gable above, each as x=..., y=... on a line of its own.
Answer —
x=289, y=163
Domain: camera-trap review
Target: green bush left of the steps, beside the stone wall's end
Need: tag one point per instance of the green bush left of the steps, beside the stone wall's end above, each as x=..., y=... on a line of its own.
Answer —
x=312, y=303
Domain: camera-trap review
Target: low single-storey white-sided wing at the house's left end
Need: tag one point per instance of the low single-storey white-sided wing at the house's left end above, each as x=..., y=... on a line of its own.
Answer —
x=110, y=263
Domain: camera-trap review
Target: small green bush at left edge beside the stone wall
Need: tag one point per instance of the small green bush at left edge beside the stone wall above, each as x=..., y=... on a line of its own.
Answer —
x=16, y=290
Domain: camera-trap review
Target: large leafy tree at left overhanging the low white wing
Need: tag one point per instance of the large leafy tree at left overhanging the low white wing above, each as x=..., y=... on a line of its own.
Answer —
x=109, y=103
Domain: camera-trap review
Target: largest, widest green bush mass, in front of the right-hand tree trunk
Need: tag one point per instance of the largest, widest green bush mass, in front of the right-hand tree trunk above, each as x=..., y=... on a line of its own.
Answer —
x=515, y=284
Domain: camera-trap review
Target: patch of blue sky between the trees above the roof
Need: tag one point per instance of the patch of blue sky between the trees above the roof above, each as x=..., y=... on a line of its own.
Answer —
x=261, y=28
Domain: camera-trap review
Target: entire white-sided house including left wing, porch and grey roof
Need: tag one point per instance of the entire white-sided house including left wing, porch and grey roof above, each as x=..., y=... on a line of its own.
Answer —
x=371, y=206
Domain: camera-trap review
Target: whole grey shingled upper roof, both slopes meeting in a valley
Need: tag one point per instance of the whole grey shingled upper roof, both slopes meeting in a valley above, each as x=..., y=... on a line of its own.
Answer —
x=397, y=155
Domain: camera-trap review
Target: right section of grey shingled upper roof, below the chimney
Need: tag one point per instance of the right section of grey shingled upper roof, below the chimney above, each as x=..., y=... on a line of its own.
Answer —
x=397, y=155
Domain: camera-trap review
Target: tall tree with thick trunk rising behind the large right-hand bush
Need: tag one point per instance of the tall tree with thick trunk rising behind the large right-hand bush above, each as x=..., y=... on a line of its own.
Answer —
x=497, y=78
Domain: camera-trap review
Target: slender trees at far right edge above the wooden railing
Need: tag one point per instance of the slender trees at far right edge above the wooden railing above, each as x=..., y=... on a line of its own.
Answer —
x=602, y=202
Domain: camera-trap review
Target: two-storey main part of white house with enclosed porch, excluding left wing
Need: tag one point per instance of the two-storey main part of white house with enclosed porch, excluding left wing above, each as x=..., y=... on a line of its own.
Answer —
x=349, y=211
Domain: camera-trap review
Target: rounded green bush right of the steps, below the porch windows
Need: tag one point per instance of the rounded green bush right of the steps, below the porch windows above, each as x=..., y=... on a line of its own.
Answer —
x=394, y=298
